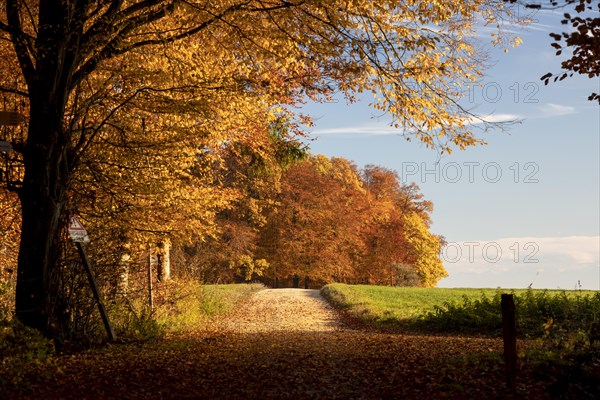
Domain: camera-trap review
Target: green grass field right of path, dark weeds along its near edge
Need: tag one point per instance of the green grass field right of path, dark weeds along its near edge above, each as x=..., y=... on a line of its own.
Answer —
x=454, y=310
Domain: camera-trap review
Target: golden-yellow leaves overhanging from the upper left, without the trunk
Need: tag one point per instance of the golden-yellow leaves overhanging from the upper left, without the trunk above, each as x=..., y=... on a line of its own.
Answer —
x=158, y=92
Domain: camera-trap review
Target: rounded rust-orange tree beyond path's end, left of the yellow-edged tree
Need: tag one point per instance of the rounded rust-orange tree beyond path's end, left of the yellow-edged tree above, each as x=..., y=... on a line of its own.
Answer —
x=316, y=230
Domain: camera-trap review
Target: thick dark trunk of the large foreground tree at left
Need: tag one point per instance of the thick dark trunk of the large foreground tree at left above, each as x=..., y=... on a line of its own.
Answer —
x=47, y=168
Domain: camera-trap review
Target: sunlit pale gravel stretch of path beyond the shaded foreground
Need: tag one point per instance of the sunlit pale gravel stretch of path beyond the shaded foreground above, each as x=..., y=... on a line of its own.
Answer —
x=291, y=310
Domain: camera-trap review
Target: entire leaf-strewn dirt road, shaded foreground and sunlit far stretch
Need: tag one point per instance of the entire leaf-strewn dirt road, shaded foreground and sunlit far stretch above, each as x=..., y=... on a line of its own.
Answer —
x=283, y=344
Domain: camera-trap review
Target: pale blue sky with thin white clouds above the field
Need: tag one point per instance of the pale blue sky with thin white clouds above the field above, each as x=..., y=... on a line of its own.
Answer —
x=525, y=208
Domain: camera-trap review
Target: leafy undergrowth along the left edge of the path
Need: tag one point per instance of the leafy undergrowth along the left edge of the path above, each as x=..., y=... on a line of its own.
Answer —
x=178, y=307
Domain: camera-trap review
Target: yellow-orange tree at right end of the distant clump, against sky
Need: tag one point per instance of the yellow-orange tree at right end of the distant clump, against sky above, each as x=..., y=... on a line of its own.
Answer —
x=399, y=249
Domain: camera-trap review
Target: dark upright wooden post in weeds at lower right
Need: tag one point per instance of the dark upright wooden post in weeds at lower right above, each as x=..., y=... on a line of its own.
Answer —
x=509, y=333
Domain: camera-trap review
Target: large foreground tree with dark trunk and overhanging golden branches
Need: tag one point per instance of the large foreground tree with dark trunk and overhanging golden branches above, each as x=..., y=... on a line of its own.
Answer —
x=71, y=54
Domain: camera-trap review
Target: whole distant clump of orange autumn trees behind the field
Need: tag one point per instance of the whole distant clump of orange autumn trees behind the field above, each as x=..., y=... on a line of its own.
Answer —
x=325, y=219
